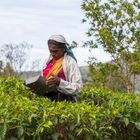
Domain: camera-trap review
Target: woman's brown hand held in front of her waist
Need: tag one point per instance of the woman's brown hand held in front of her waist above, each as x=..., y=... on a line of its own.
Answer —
x=54, y=81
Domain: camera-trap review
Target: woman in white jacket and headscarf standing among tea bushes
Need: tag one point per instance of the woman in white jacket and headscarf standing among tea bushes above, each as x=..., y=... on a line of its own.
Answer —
x=61, y=71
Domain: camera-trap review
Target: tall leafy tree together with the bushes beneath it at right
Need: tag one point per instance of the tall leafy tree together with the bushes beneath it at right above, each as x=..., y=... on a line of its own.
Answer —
x=114, y=26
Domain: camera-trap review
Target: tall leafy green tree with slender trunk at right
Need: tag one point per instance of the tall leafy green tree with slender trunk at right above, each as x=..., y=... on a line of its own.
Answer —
x=115, y=27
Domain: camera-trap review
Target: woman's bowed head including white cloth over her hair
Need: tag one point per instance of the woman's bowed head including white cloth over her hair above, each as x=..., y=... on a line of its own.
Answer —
x=57, y=46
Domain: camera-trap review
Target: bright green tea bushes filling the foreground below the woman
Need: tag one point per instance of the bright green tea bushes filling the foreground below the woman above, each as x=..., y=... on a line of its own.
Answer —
x=100, y=115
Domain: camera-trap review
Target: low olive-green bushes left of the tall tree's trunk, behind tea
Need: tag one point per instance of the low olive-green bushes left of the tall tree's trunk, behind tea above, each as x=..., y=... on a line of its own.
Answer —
x=106, y=75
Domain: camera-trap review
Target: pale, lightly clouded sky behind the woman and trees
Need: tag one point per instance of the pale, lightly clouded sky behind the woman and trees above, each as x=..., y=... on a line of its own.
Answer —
x=33, y=21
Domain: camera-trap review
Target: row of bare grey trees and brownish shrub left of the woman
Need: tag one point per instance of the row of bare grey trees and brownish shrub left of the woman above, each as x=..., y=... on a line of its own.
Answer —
x=13, y=59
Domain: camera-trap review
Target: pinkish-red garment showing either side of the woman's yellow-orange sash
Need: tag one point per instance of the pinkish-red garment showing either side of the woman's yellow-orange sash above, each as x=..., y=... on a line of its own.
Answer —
x=49, y=66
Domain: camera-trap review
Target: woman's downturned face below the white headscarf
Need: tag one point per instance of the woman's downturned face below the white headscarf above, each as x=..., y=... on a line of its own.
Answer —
x=56, y=51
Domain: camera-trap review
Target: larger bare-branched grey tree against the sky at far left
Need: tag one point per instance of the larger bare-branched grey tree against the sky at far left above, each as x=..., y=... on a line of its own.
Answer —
x=14, y=55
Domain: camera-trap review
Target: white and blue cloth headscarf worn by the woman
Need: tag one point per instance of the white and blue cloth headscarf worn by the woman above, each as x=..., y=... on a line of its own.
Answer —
x=61, y=39
